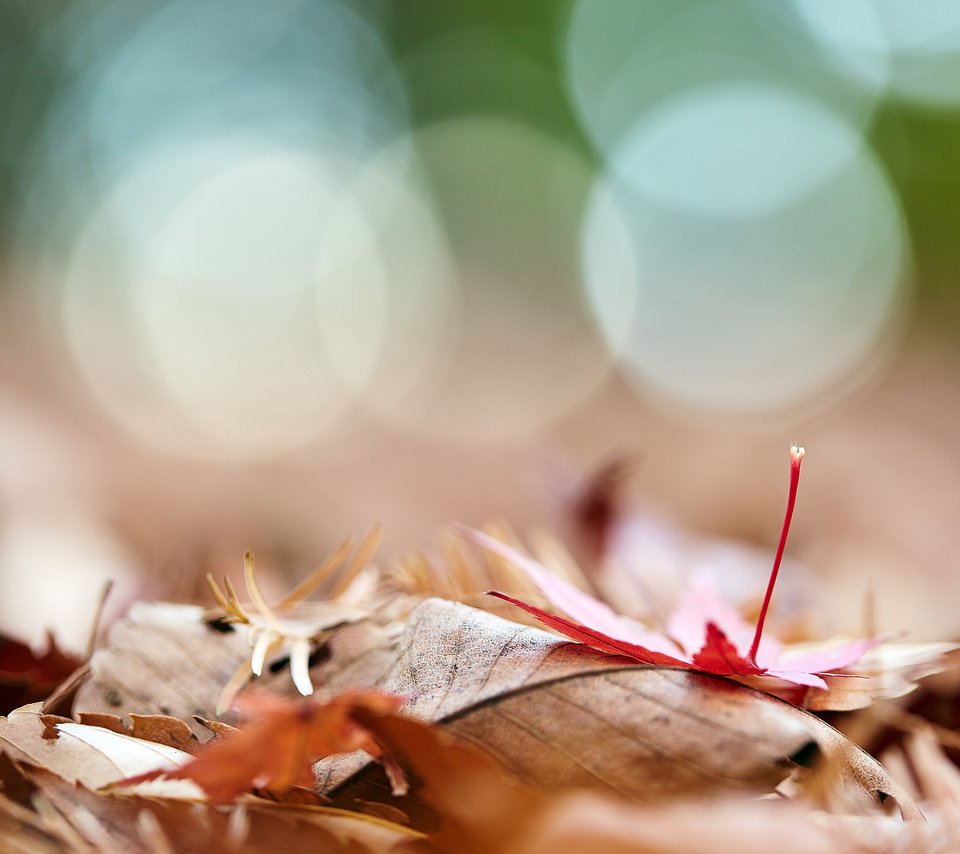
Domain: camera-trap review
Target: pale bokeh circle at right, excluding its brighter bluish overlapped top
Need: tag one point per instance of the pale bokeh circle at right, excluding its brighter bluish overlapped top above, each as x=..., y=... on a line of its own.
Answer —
x=746, y=314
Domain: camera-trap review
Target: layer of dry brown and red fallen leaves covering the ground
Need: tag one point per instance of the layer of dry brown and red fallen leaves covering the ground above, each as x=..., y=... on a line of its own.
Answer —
x=507, y=737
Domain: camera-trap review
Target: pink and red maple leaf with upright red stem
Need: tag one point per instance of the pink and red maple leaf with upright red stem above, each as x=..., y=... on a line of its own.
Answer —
x=704, y=633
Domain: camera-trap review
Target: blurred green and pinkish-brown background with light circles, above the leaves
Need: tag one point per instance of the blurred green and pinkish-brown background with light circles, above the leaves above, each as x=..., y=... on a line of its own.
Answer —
x=272, y=271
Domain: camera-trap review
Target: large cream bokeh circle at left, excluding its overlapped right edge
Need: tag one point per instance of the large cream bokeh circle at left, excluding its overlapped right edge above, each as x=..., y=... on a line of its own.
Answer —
x=194, y=324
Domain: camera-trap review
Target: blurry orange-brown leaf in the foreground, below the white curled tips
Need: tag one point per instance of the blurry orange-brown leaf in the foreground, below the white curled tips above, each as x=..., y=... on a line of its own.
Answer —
x=277, y=748
